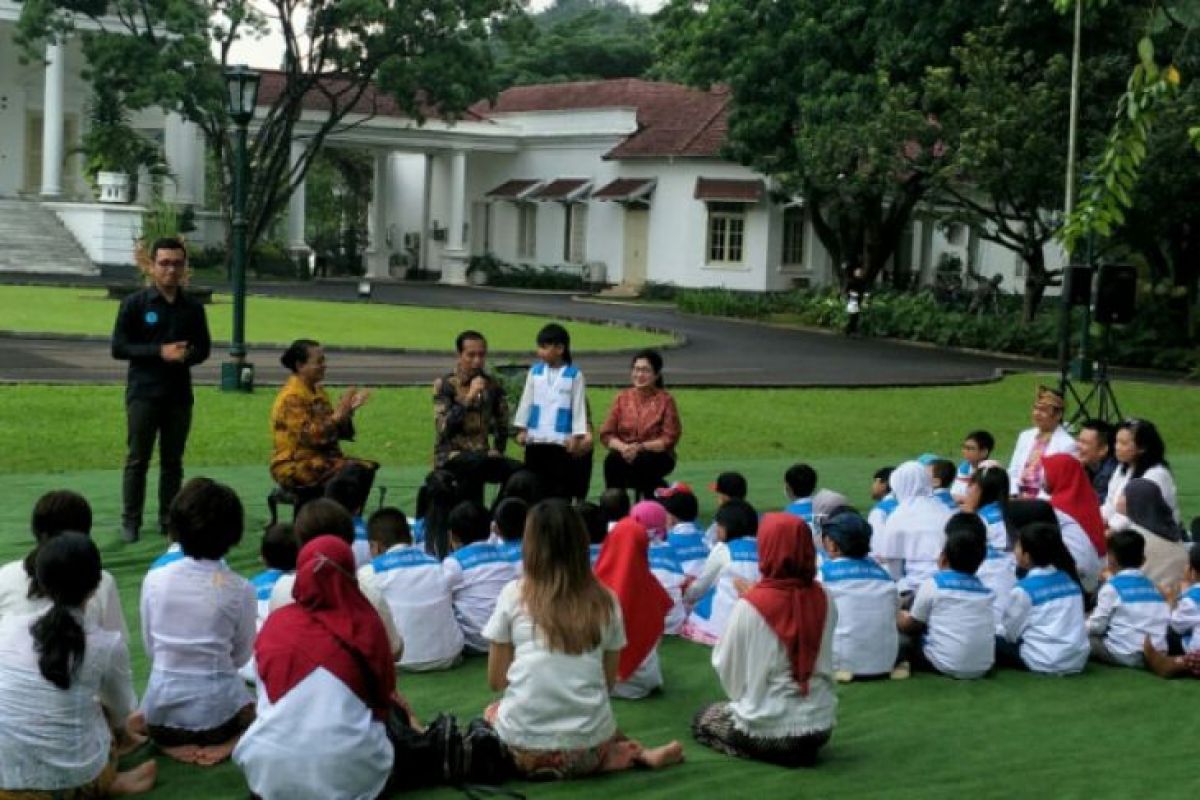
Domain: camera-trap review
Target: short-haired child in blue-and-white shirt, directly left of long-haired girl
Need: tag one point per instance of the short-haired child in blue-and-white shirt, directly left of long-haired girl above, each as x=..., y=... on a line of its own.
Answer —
x=952, y=613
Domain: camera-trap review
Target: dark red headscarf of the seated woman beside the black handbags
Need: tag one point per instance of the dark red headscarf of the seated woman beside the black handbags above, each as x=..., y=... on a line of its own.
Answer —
x=329, y=622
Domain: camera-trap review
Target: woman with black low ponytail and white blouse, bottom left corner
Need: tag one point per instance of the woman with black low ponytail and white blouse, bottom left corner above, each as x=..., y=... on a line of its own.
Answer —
x=58, y=675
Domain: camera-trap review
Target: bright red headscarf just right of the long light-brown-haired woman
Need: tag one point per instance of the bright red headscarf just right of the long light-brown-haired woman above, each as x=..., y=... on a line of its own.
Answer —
x=625, y=567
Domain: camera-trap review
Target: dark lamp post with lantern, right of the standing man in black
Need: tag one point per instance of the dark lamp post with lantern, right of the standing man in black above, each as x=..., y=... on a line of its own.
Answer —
x=242, y=98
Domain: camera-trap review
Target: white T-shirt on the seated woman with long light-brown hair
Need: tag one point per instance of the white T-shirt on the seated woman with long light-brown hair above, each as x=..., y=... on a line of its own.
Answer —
x=555, y=701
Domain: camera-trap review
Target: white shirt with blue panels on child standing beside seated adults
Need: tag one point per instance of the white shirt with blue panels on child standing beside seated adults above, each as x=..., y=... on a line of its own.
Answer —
x=550, y=395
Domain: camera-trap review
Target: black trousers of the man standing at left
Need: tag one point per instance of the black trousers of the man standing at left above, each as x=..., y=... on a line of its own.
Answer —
x=147, y=422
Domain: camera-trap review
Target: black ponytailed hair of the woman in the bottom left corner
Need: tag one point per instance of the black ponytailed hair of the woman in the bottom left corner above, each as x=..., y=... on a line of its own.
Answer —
x=69, y=570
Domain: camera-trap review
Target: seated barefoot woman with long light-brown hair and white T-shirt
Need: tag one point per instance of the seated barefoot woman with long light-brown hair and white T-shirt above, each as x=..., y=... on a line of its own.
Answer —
x=556, y=642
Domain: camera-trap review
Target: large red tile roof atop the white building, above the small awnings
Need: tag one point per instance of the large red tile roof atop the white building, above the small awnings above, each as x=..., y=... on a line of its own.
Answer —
x=673, y=121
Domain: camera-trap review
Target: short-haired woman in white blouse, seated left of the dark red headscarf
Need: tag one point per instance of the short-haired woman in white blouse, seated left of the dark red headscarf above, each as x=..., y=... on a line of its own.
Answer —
x=199, y=629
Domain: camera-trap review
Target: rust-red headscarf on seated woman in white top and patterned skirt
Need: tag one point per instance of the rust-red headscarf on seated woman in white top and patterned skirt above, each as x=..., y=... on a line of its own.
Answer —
x=789, y=597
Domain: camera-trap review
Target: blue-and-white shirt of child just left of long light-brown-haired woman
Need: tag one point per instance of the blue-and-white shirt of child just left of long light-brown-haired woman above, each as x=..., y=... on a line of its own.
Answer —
x=476, y=575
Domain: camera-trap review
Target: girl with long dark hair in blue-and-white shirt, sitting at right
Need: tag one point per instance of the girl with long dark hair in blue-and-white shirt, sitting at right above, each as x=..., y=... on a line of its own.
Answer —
x=1043, y=628
